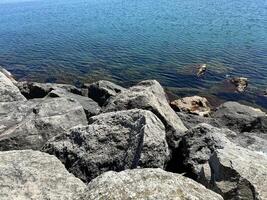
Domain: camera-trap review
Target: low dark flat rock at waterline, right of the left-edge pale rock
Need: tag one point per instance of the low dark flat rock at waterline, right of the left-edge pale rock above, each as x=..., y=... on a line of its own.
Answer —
x=33, y=90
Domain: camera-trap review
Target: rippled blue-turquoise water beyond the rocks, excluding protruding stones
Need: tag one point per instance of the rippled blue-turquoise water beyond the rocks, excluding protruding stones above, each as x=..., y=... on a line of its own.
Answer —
x=126, y=41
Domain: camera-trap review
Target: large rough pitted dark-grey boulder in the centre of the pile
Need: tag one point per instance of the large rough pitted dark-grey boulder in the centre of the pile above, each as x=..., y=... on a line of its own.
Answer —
x=113, y=141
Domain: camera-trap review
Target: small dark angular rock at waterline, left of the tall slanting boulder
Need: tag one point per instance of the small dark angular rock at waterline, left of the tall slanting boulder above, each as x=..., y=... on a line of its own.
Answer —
x=101, y=91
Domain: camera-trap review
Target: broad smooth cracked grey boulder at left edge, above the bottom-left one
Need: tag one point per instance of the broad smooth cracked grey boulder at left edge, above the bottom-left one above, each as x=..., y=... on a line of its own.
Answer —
x=29, y=124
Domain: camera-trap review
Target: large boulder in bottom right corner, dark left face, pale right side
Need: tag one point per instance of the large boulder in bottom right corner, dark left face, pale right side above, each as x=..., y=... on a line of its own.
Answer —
x=228, y=169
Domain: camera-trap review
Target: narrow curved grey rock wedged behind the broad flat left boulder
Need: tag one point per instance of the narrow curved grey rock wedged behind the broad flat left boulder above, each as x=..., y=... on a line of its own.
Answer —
x=90, y=107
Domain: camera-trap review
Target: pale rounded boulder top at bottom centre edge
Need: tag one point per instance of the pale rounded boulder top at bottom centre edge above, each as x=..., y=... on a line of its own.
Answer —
x=152, y=184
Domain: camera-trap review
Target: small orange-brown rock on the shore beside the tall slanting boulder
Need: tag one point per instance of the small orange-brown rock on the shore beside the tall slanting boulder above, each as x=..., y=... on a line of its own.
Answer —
x=194, y=105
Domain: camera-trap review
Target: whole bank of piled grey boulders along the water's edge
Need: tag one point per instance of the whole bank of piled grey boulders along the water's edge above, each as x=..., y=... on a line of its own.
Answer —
x=103, y=141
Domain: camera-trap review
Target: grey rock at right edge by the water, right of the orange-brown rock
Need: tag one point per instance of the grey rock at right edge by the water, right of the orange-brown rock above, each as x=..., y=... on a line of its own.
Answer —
x=241, y=118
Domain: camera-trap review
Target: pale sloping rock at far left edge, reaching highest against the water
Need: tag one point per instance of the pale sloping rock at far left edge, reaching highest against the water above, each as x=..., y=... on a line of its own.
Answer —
x=8, y=91
